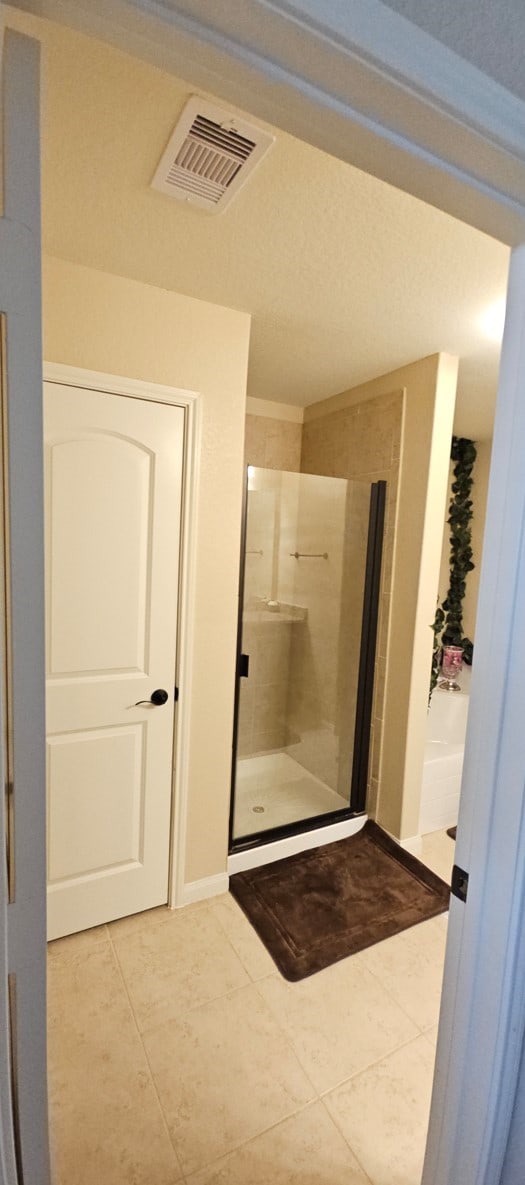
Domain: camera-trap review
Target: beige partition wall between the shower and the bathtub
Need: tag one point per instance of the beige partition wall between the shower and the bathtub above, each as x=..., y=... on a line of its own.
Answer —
x=430, y=396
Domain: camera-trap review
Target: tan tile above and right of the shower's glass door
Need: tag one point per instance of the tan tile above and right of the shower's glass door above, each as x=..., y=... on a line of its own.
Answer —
x=363, y=443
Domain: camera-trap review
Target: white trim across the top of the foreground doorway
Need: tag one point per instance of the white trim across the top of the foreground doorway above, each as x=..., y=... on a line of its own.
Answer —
x=357, y=80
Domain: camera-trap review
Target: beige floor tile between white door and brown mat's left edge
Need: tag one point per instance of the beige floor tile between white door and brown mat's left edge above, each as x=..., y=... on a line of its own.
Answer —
x=177, y=965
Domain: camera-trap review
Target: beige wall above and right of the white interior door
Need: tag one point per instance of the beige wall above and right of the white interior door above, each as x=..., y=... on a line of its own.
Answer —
x=110, y=324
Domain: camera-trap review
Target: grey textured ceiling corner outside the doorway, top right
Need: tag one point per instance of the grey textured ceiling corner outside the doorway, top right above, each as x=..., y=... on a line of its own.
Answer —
x=488, y=34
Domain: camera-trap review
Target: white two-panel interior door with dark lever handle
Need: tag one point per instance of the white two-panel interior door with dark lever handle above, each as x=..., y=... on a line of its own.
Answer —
x=113, y=502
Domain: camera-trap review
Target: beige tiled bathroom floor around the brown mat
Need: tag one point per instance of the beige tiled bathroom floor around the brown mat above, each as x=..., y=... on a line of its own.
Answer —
x=180, y=1056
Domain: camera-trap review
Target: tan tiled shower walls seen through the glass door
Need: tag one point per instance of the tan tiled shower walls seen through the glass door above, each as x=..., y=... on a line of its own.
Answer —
x=302, y=693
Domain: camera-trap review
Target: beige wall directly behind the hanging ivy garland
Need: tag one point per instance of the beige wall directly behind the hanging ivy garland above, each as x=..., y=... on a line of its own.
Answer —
x=479, y=499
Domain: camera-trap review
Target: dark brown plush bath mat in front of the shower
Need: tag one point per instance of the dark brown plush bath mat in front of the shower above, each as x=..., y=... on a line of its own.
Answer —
x=322, y=906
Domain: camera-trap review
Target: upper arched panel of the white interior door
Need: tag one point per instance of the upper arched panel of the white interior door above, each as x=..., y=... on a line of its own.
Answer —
x=100, y=625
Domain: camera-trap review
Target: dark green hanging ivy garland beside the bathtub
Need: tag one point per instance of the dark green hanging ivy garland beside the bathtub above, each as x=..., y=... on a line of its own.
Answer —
x=449, y=623
